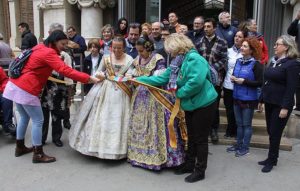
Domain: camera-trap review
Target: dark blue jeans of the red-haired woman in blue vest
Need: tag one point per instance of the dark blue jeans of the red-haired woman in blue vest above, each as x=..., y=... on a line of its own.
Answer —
x=243, y=117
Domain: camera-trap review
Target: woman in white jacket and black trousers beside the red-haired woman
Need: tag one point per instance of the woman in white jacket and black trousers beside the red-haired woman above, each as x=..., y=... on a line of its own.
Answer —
x=234, y=53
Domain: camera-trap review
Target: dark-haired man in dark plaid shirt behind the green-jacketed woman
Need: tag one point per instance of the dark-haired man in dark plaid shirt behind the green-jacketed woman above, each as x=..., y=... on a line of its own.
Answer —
x=214, y=50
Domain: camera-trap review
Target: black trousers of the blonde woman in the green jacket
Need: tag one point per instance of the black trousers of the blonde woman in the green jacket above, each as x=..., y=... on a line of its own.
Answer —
x=198, y=124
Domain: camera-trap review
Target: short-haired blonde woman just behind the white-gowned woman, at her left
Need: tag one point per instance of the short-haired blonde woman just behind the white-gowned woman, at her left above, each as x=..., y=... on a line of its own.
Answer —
x=107, y=34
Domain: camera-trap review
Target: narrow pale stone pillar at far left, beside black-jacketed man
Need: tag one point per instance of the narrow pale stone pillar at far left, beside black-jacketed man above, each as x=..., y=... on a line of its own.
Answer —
x=14, y=11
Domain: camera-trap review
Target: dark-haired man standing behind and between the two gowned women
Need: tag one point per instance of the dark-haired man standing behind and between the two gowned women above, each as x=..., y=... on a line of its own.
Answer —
x=133, y=35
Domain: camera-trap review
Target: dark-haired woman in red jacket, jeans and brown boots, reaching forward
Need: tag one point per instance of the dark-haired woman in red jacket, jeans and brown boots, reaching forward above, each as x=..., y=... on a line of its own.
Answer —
x=25, y=90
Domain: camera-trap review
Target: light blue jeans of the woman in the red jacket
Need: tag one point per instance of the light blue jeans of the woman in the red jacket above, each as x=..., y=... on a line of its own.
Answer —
x=34, y=113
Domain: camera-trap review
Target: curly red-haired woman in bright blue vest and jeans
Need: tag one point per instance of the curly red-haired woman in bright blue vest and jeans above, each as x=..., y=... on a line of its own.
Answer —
x=247, y=77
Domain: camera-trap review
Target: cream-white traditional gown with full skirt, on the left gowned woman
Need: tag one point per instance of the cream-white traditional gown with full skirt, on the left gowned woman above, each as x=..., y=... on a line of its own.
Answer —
x=101, y=126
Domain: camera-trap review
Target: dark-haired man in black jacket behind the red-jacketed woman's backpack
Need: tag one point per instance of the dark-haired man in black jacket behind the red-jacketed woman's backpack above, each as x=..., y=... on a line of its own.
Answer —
x=28, y=39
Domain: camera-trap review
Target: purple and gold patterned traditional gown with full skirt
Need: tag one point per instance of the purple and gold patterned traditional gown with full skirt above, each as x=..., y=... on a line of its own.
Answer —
x=148, y=136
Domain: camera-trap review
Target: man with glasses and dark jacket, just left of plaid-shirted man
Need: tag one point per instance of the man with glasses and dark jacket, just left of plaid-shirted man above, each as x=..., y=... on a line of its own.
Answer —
x=197, y=33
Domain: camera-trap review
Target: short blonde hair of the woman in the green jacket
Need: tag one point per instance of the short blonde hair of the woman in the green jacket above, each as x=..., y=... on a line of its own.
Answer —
x=178, y=44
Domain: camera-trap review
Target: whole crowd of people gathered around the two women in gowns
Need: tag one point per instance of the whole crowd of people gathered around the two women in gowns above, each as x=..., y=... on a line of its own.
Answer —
x=156, y=93
